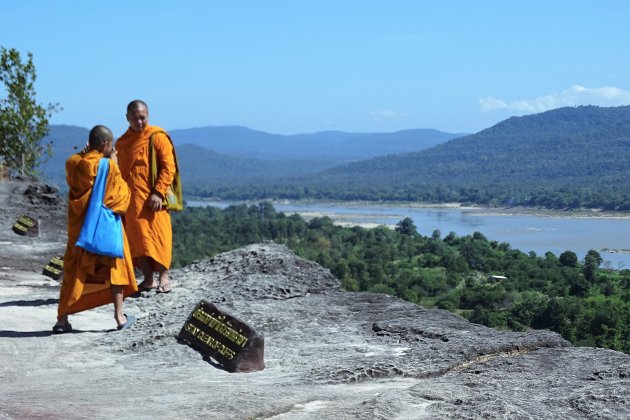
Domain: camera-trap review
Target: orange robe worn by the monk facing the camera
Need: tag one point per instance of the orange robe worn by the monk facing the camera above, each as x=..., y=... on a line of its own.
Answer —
x=149, y=232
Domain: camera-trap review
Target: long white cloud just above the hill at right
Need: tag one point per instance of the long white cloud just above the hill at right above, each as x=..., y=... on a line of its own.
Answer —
x=573, y=96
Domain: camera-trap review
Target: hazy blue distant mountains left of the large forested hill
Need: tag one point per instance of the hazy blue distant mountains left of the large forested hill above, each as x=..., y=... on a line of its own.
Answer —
x=213, y=157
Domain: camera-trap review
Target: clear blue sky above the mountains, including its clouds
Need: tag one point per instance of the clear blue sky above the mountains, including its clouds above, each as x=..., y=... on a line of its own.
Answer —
x=303, y=66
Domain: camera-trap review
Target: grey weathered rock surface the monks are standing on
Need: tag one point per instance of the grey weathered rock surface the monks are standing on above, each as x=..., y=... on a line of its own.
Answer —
x=329, y=354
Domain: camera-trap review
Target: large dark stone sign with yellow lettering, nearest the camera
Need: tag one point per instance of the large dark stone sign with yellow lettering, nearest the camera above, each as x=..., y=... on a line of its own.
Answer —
x=229, y=341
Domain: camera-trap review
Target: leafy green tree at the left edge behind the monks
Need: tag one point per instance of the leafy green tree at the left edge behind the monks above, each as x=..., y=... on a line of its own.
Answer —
x=23, y=122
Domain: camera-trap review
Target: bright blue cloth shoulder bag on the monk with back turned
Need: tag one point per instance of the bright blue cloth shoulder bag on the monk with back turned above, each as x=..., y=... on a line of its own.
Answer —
x=101, y=232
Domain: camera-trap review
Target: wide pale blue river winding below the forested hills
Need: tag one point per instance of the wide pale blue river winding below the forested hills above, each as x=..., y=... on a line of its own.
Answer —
x=526, y=232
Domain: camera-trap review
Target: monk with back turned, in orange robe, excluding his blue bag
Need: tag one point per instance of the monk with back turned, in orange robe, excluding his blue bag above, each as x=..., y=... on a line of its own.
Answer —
x=91, y=280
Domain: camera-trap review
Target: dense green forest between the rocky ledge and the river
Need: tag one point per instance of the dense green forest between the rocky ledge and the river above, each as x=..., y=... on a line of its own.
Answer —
x=485, y=281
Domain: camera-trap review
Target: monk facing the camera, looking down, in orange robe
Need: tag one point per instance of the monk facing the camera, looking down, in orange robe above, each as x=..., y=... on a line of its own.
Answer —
x=147, y=222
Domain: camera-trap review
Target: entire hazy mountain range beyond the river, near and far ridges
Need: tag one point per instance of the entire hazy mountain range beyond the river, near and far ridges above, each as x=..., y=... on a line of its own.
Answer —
x=565, y=158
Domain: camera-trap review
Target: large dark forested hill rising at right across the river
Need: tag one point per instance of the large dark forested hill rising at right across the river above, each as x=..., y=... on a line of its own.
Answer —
x=565, y=158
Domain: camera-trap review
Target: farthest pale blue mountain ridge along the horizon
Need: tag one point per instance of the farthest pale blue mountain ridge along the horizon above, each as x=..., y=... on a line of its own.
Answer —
x=332, y=146
